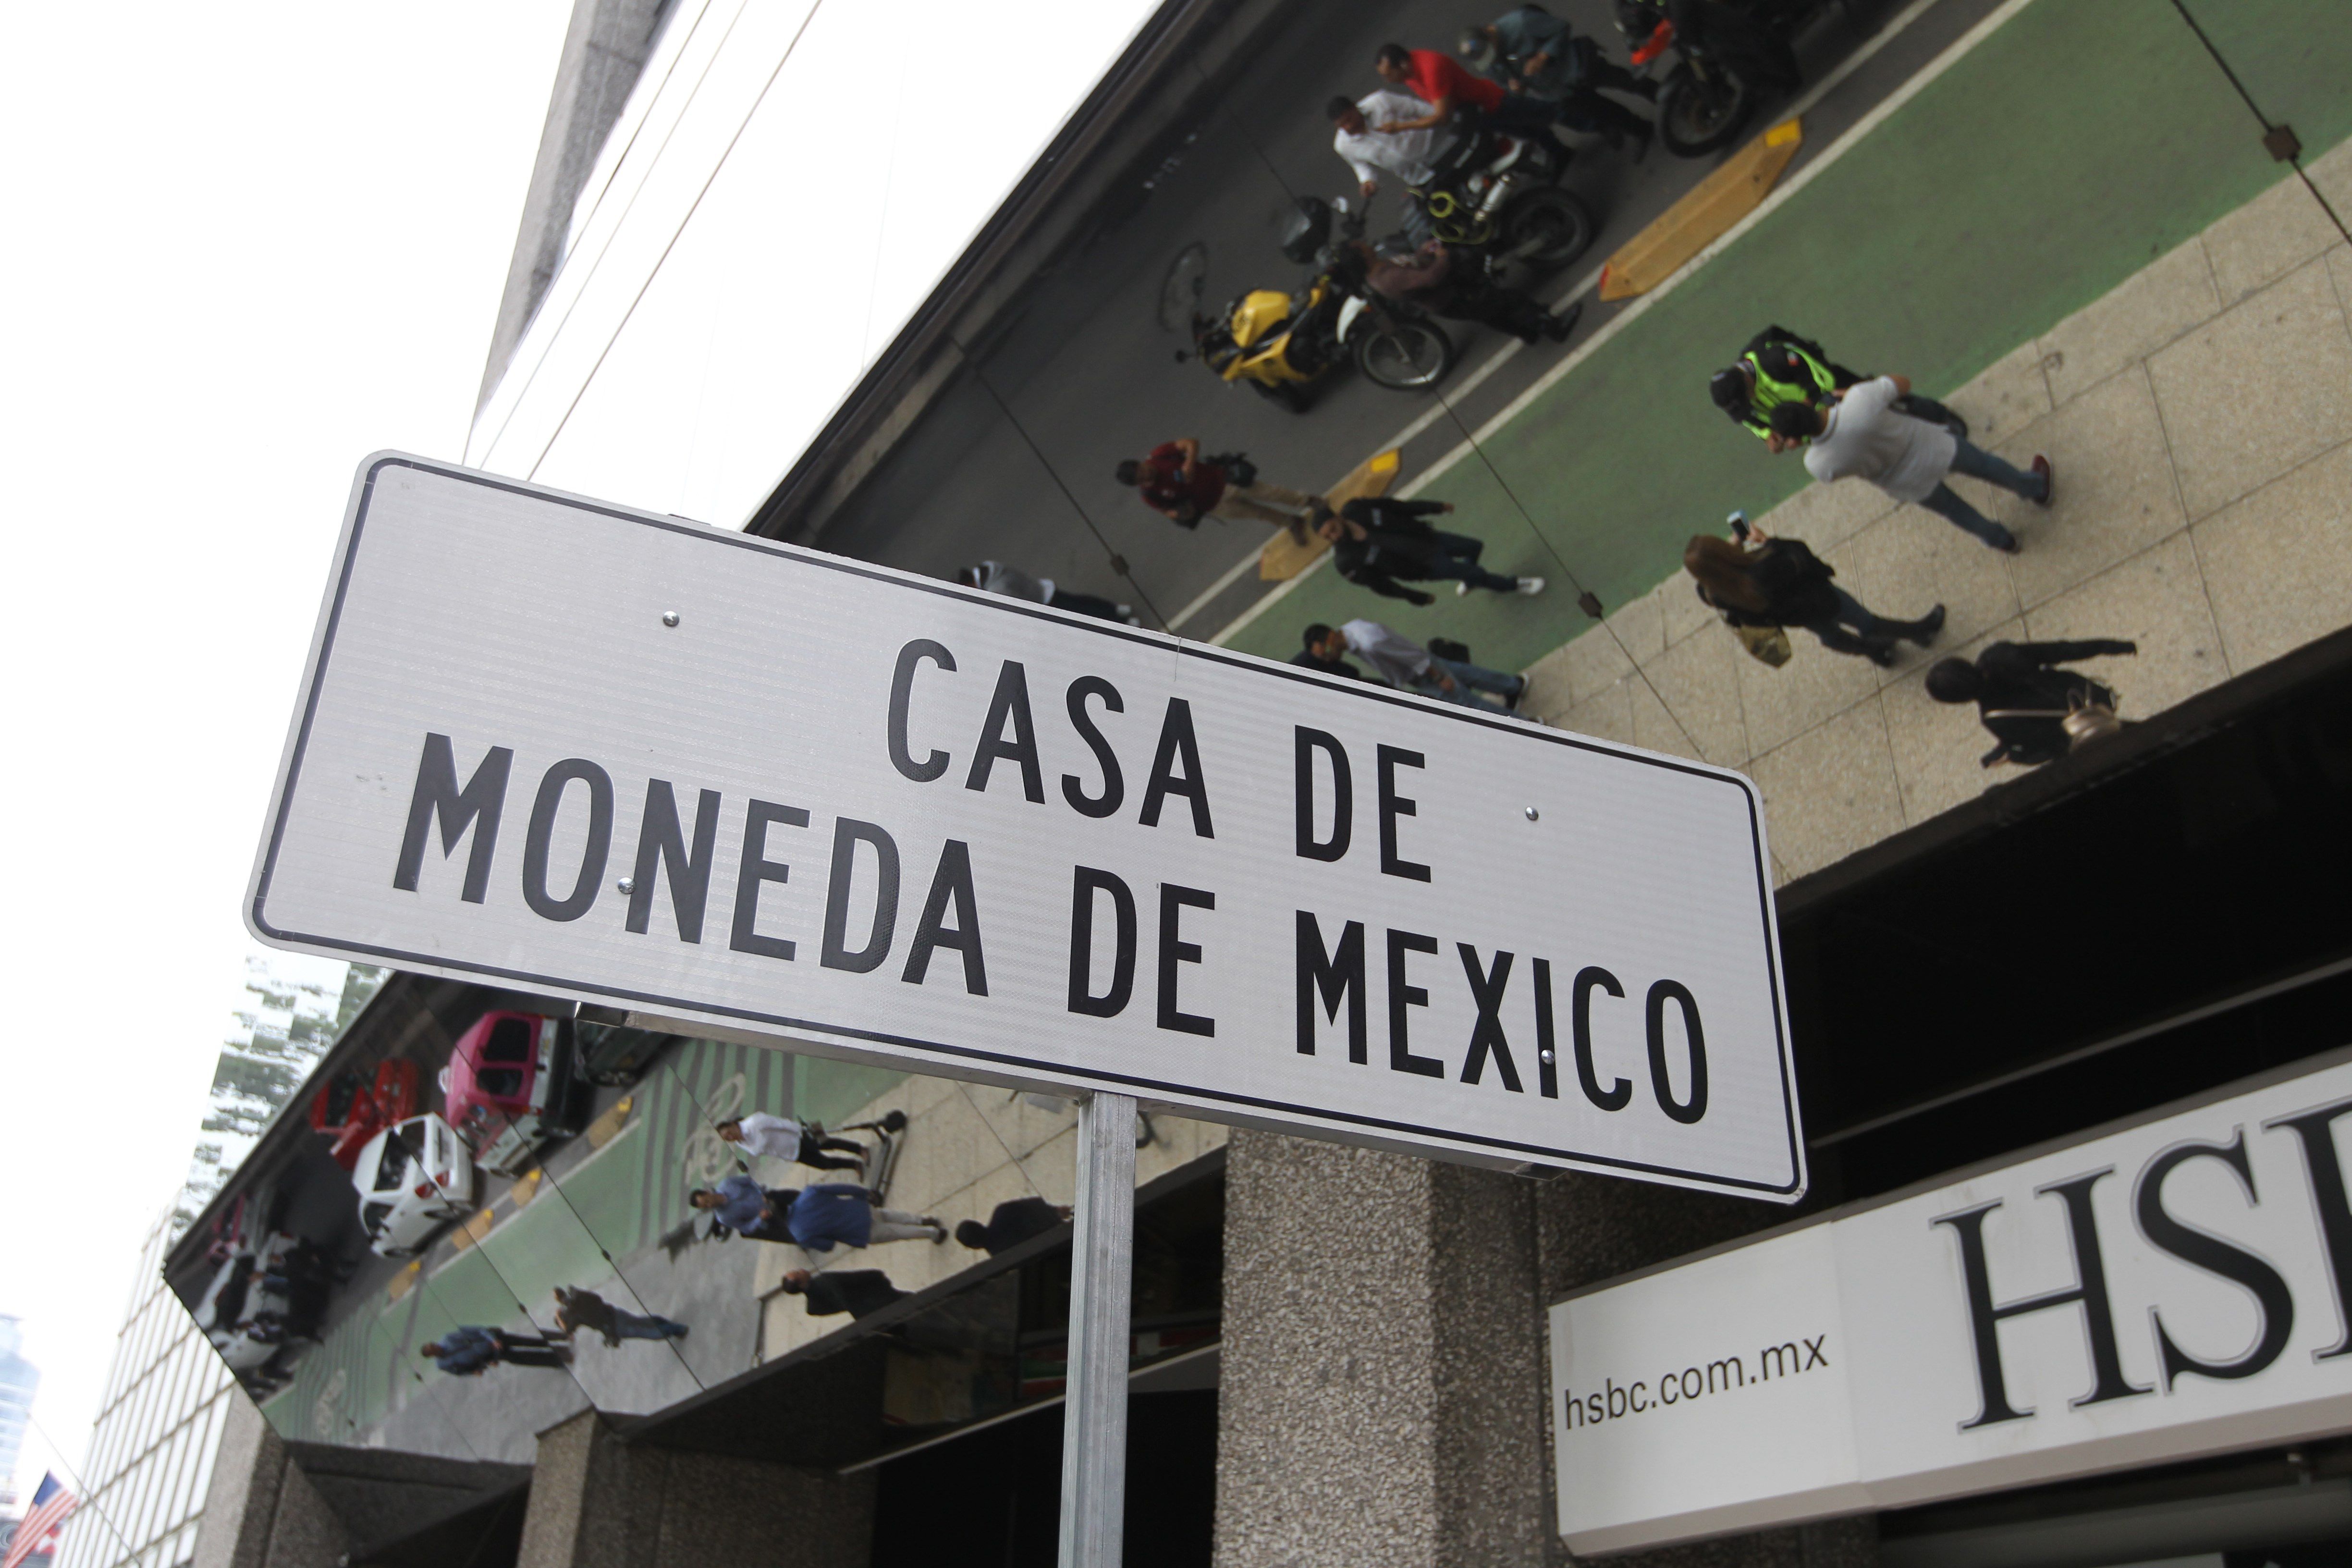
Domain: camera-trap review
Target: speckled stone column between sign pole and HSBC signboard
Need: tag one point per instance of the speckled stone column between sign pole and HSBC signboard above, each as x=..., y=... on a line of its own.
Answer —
x=1382, y=1374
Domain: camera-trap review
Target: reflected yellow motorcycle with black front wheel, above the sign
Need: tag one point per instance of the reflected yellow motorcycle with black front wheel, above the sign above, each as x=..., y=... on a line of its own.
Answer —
x=1278, y=344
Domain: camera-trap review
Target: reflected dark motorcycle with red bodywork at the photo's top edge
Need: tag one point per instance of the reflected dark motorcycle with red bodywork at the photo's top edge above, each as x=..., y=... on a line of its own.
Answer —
x=1718, y=81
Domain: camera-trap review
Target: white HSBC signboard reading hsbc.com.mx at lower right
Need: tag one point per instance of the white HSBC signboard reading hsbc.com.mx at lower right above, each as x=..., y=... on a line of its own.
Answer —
x=2146, y=1296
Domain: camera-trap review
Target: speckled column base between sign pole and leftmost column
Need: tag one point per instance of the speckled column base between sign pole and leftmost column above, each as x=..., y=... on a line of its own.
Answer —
x=603, y=1503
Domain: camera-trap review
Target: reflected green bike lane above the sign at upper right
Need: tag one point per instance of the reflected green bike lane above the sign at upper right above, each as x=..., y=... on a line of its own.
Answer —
x=2066, y=149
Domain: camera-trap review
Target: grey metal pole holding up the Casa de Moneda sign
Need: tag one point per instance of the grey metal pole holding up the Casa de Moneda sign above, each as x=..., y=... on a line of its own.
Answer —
x=1102, y=1287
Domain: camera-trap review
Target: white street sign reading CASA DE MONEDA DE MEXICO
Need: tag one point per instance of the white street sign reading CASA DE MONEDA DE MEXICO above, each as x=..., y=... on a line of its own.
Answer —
x=646, y=763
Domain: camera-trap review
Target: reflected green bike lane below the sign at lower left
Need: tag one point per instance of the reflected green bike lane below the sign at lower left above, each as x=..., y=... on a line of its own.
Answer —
x=596, y=1219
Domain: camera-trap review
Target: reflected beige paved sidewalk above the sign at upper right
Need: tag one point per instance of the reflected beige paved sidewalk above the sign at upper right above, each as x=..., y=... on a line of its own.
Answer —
x=2200, y=422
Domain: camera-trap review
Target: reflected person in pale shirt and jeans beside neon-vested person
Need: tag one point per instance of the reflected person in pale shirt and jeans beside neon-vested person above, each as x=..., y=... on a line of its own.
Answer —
x=1864, y=438
